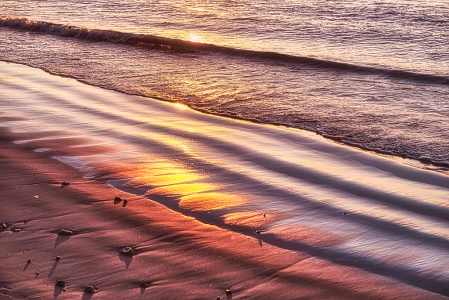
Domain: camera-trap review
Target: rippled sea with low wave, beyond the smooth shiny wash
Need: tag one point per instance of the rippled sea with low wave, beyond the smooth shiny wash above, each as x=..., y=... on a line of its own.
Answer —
x=368, y=73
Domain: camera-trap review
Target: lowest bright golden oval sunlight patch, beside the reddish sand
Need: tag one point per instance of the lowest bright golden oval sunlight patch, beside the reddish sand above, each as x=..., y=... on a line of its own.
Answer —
x=210, y=201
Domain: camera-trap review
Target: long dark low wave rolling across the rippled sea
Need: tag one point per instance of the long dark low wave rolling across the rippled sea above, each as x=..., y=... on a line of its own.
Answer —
x=157, y=42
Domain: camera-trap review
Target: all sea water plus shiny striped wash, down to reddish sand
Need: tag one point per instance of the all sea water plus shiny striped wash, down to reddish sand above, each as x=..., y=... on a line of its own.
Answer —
x=370, y=74
